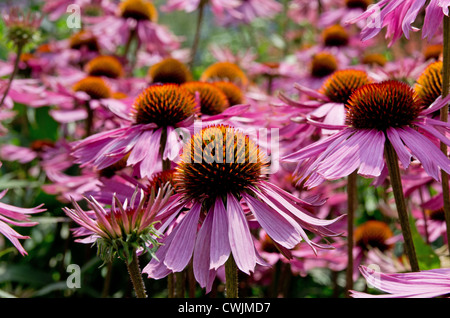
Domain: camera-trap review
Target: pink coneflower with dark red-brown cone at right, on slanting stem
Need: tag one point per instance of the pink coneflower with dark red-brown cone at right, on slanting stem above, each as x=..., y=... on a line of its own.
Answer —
x=377, y=113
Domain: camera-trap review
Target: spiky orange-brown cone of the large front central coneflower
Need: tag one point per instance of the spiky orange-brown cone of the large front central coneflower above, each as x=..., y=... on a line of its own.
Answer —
x=217, y=161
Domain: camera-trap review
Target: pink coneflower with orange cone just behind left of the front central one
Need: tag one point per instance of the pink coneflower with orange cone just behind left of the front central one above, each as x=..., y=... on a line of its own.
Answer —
x=155, y=114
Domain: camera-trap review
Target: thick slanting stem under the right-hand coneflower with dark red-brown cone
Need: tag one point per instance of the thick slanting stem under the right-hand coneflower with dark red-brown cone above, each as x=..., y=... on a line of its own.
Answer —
x=396, y=182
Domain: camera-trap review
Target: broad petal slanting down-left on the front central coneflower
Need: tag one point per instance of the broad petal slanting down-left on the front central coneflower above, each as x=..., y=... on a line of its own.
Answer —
x=182, y=246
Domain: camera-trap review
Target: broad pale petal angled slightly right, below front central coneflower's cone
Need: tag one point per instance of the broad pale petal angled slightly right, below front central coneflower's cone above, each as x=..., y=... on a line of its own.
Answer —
x=241, y=242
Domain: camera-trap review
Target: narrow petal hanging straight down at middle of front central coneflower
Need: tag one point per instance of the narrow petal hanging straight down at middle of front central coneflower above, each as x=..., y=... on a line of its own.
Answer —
x=220, y=245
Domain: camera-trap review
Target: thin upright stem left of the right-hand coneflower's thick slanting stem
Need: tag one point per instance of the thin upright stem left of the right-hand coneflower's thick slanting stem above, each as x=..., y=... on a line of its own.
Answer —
x=352, y=202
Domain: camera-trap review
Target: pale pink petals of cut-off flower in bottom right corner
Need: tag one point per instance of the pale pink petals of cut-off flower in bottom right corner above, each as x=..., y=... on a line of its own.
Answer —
x=424, y=284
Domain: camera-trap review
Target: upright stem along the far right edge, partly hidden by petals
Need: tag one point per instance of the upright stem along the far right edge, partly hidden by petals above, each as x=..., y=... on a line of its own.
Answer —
x=444, y=118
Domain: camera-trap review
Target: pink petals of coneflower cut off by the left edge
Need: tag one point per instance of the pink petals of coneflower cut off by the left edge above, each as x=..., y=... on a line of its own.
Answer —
x=13, y=215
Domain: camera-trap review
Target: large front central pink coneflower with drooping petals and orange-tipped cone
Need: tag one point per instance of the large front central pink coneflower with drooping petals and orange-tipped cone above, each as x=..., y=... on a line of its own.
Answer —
x=222, y=191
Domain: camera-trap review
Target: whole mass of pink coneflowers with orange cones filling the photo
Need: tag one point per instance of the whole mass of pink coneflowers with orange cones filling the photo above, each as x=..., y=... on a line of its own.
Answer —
x=166, y=163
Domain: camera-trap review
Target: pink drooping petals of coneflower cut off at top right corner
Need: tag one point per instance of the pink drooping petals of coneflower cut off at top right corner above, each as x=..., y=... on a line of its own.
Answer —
x=399, y=15
